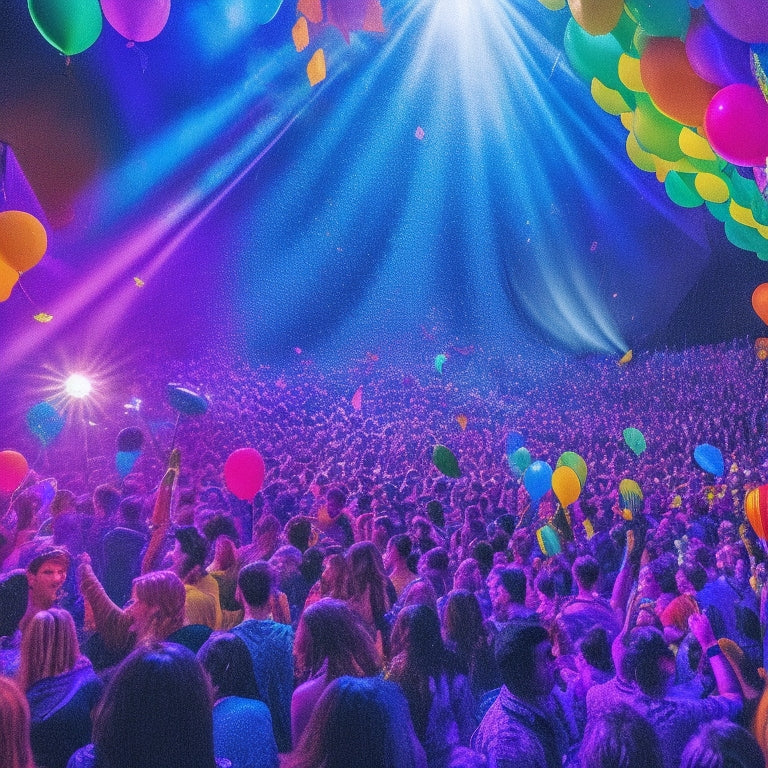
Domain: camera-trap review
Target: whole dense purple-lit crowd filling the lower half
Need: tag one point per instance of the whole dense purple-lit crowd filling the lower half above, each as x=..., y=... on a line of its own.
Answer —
x=363, y=609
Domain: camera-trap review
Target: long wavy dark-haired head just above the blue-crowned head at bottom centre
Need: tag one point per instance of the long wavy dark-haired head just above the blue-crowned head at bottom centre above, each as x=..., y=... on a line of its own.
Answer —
x=330, y=632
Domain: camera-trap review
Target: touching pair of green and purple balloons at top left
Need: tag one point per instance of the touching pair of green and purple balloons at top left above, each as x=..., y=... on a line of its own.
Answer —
x=72, y=26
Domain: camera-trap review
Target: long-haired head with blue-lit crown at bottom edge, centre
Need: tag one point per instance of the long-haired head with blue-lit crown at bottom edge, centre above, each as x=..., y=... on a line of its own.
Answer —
x=359, y=723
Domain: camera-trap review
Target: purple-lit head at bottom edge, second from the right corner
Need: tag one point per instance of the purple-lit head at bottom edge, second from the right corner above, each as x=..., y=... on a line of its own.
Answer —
x=620, y=738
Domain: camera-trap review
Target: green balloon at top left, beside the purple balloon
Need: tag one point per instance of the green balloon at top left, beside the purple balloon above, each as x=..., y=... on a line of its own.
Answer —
x=70, y=26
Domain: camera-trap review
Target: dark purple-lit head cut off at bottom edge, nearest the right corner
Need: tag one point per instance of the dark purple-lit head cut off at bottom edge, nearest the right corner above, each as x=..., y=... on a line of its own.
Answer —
x=722, y=744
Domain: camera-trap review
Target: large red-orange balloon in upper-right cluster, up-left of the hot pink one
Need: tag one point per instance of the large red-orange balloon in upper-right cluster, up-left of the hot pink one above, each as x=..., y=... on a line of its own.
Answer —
x=676, y=90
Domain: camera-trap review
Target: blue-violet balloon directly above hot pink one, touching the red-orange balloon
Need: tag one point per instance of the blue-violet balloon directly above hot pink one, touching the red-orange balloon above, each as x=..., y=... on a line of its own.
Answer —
x=714, y=55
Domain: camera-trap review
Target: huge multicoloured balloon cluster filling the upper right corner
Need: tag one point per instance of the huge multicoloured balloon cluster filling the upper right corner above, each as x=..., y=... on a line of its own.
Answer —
x=687, y=79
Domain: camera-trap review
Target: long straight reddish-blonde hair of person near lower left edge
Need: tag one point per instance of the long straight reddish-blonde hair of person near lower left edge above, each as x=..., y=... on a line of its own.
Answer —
x=49, y=647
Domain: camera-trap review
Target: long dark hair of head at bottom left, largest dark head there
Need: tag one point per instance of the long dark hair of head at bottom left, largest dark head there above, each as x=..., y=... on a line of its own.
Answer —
x=156, y=712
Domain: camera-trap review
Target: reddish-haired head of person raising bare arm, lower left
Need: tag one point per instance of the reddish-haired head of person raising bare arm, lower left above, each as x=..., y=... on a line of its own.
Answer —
x=156, y=607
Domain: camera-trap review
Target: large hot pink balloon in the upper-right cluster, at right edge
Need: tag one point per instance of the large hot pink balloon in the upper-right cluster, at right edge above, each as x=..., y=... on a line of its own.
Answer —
x=736, y=124
